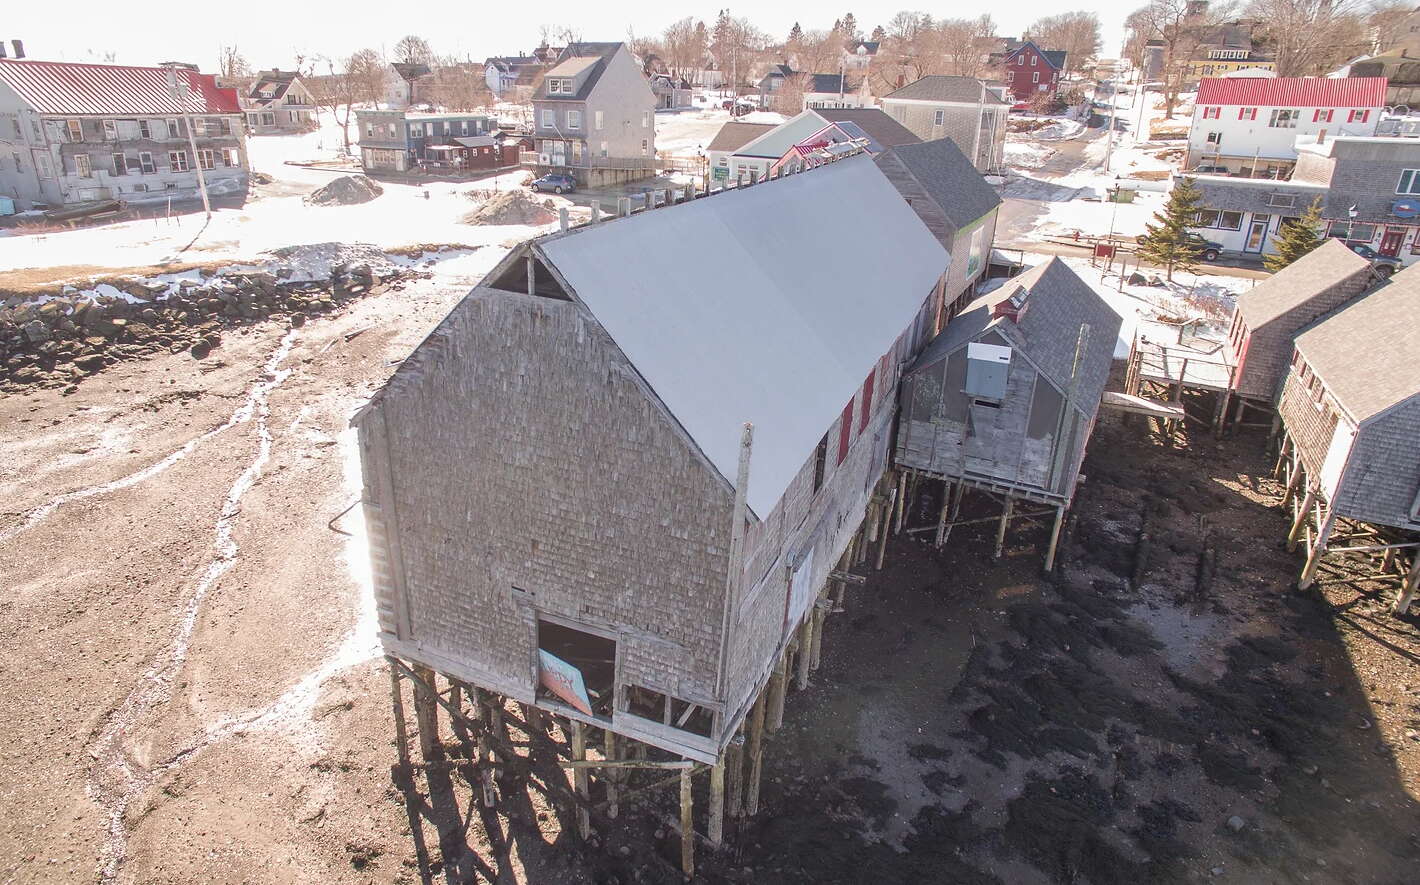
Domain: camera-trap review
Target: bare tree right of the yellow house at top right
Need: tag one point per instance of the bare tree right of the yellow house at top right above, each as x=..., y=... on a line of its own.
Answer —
x=1311, y=36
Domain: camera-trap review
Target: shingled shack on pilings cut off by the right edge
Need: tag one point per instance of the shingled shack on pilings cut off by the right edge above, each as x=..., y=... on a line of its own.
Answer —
x=1351, y=437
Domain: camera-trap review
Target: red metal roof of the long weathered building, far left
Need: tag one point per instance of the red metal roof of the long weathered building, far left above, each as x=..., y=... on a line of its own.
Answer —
x=59, y=87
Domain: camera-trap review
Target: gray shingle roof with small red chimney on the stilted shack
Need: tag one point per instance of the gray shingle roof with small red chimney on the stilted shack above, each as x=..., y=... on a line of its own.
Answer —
x=1047, y=332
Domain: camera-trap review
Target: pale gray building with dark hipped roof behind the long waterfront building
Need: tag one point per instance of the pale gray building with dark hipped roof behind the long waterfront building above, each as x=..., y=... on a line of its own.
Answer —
x=969, y=112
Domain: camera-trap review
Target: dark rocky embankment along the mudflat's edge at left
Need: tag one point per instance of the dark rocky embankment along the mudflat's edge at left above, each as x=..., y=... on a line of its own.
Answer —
x=56, y=340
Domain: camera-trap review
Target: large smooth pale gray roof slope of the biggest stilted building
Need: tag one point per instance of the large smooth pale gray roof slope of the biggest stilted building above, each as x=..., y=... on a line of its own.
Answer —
x=766, y=305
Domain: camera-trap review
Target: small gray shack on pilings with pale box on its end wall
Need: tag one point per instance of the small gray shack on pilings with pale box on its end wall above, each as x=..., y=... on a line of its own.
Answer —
x=1005, y=400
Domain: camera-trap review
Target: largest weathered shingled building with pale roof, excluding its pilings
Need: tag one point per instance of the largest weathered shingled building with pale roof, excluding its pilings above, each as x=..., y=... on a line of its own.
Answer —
x=616, y=488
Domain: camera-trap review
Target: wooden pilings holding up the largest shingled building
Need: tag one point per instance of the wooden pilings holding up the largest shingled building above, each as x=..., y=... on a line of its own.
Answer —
x=616, y=768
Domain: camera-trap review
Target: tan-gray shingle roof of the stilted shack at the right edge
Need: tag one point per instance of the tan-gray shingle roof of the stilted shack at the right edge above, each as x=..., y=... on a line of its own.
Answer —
x=1367, y=353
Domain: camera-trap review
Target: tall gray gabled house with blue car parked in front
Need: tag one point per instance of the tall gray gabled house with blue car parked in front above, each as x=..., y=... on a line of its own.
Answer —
x=596, y=117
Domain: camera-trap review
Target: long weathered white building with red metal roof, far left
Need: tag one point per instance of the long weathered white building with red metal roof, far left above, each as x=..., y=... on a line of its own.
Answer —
x=83, y=133
